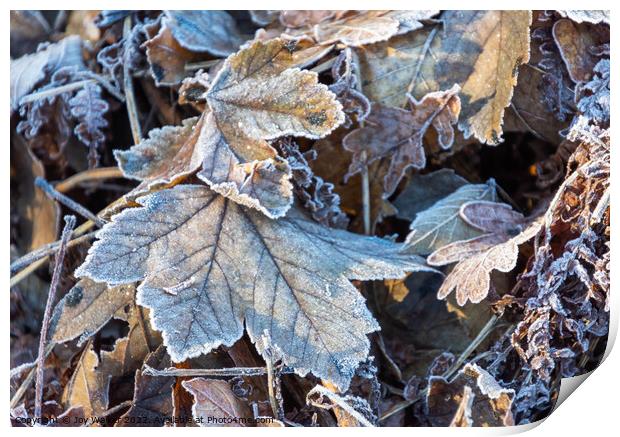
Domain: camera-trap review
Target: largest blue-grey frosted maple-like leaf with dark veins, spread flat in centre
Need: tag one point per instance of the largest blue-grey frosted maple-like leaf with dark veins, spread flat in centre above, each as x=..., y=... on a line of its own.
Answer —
x=208, y=264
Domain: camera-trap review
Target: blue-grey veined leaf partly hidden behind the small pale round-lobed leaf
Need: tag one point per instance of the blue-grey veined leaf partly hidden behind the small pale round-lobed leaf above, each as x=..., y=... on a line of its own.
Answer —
x=441, y=224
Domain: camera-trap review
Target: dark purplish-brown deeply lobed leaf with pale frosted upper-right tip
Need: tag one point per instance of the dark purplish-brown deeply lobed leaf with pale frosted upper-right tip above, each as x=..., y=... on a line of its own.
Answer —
x=399, y=134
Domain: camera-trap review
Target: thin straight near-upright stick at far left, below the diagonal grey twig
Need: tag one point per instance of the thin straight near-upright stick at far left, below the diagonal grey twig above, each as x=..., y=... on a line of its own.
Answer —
x=51, y=297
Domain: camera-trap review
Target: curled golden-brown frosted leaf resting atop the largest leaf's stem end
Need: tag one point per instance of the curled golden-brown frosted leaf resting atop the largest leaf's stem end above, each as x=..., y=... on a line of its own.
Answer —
x=257, y=96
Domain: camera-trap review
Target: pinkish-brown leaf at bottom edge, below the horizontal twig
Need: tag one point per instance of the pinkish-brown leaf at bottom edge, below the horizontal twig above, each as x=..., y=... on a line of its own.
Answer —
x=214, y=398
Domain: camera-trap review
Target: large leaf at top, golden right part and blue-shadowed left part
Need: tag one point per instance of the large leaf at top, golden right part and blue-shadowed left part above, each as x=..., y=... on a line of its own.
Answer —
x=479, y=50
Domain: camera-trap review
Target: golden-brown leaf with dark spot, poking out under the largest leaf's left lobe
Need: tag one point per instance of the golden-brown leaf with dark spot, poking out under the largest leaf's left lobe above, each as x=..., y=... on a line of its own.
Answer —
x=86, y=308
